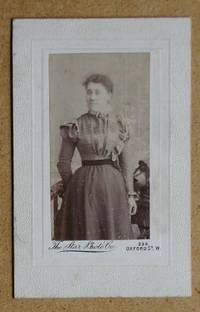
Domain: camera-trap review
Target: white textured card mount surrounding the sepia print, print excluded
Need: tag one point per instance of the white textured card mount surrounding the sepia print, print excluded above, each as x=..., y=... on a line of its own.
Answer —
x=36, y=263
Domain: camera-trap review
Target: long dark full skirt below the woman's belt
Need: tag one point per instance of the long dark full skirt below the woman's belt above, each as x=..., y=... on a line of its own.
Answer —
x=95, y=206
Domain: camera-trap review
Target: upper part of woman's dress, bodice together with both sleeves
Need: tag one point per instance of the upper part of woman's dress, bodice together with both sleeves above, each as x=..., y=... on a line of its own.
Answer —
x=96, y=136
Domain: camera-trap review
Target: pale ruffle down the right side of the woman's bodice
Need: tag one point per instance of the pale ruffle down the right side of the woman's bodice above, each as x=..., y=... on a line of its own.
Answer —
x=124, y=135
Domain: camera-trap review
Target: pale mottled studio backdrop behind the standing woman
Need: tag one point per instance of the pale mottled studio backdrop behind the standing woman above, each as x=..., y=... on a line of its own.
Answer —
x=130, y=75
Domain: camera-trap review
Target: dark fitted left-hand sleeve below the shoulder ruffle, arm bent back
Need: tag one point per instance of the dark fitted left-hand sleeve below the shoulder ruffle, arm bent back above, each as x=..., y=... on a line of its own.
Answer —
x=65, y=156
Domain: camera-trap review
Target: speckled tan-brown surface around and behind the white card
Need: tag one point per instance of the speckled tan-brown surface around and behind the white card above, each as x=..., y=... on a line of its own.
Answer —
x=10, y=9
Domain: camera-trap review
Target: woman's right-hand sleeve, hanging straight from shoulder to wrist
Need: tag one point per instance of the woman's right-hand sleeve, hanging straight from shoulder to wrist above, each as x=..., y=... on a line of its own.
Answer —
x=126, y=154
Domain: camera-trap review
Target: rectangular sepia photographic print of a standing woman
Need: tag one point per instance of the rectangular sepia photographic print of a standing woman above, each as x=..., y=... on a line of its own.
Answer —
x=99, y=146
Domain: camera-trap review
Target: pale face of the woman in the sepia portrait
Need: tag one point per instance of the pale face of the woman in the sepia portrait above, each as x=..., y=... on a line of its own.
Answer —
x=97, y=96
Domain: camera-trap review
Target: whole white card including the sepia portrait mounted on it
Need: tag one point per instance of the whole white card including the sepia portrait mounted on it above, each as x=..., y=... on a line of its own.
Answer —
x=79, y=245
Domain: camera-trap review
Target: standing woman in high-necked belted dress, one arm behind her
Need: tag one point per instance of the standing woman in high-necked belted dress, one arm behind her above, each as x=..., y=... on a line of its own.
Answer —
x=98, y=197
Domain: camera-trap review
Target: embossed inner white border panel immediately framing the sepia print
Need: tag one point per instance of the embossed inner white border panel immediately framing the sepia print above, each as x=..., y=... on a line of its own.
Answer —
x=159, y=152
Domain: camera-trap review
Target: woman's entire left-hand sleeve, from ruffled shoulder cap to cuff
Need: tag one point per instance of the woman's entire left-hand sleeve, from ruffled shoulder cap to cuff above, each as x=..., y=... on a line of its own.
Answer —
x=69, y=134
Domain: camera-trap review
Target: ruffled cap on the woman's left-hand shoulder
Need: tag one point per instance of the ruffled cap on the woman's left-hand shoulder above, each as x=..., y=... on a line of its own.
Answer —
x=70, y=130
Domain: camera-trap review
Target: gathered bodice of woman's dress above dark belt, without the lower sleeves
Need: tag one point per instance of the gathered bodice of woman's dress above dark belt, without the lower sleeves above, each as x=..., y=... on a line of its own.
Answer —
x=97, y=135
